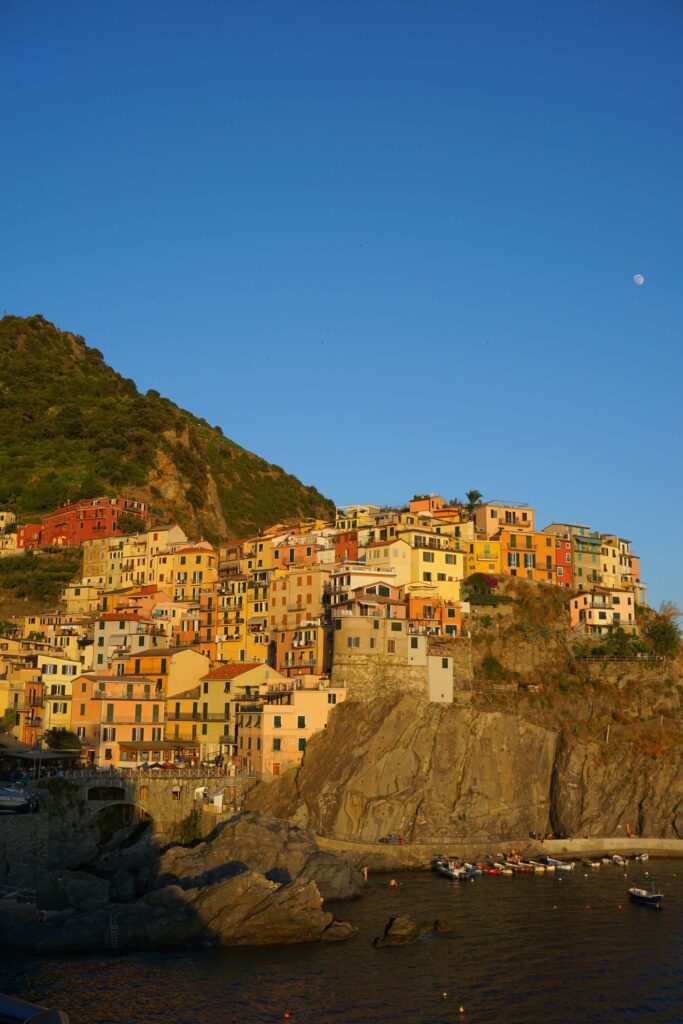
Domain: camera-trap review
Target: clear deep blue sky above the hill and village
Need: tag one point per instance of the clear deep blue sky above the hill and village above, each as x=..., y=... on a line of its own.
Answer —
x=387, y=245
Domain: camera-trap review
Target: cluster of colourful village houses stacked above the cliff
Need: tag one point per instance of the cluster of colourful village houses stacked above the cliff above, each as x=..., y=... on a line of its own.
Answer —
x=172, y=651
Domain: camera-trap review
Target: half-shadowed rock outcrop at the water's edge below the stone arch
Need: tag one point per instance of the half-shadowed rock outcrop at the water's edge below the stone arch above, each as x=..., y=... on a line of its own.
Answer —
x=254, y=882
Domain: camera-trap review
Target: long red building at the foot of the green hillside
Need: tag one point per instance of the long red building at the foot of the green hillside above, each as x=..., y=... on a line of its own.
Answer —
x=75, y=523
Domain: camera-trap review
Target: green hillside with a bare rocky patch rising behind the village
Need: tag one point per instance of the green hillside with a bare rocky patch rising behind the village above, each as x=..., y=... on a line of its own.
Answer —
x=72, y=428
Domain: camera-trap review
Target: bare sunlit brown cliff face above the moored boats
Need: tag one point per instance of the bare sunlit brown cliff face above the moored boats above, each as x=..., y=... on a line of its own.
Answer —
x=430, y=772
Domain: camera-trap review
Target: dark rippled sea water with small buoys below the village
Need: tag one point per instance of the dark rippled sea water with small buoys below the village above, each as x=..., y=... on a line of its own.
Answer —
x=527, y=950
